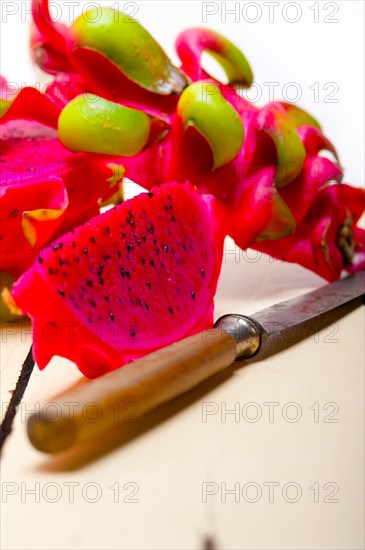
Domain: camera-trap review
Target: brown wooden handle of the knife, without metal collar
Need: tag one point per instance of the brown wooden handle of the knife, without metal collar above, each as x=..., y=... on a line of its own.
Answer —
x=144, y=384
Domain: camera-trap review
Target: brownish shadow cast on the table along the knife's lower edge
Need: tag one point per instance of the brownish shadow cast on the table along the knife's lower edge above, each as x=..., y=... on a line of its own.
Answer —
x=125, y=433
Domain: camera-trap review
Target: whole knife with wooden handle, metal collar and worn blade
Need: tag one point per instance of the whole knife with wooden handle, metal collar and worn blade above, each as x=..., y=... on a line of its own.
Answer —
x=173, y=370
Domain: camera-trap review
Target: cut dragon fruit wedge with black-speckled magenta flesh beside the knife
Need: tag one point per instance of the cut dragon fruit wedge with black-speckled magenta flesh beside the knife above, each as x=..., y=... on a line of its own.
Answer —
x=135, y=278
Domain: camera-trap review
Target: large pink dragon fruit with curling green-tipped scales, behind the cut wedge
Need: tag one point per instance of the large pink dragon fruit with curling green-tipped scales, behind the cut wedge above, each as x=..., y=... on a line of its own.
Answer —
x=264, y=164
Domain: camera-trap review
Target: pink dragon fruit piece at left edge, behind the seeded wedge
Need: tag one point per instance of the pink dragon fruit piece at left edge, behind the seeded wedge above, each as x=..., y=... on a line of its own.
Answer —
x=45, y=189
